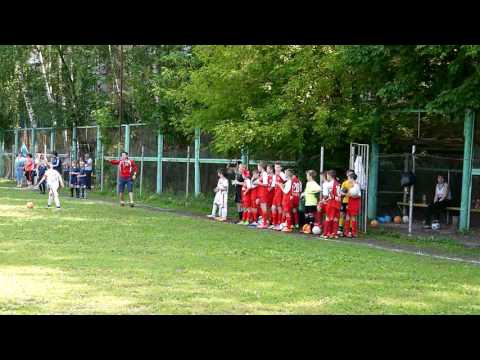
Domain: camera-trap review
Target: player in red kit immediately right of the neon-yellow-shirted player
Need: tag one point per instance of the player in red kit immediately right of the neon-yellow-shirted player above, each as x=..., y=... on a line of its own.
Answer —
x=333, y=205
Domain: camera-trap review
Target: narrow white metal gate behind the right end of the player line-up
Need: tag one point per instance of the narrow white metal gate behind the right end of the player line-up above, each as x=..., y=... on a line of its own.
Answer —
x=359, y=162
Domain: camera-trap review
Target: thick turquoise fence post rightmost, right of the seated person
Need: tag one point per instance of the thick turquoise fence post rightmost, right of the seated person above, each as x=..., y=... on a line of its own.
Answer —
x=464, y=221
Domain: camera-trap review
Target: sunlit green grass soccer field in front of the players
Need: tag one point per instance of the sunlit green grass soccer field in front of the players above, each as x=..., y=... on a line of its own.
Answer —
x=98, y=258
